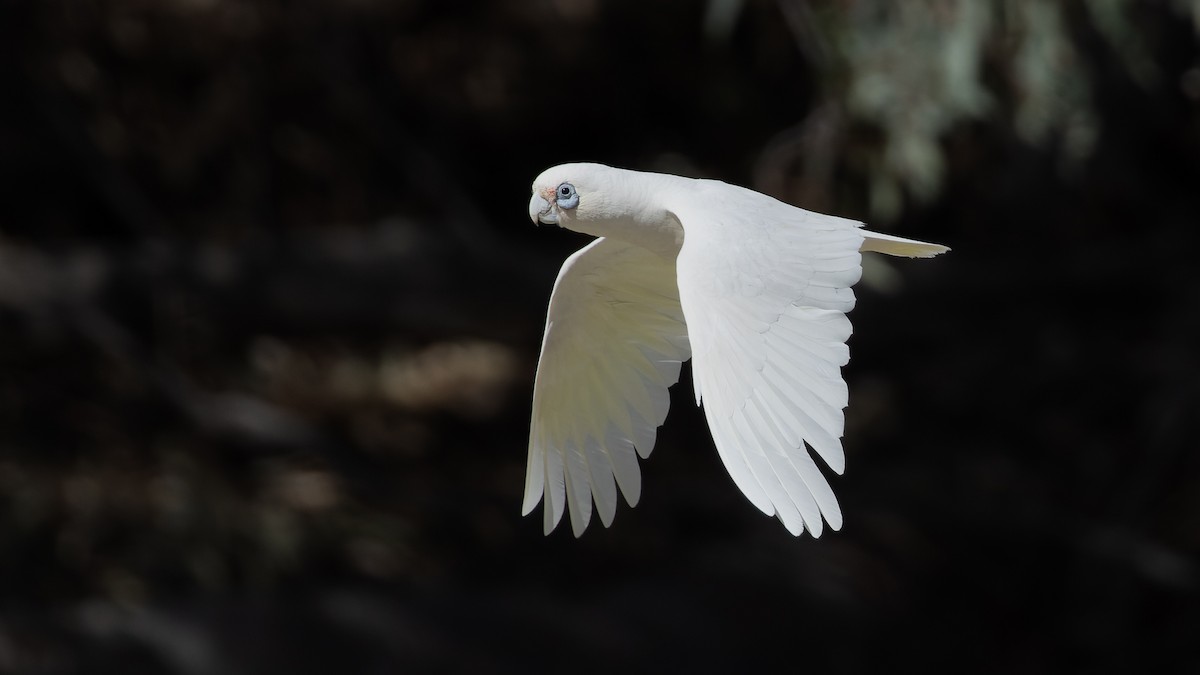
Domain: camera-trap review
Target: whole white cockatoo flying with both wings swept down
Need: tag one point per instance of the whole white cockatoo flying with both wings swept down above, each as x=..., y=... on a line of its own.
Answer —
x=753, y=290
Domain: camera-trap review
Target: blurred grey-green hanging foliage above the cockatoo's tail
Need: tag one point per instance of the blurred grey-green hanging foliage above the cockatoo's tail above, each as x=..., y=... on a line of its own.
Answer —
x=919, y=71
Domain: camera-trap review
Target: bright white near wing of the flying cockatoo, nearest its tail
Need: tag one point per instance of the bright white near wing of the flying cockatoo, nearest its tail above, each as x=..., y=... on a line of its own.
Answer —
x=766, y=289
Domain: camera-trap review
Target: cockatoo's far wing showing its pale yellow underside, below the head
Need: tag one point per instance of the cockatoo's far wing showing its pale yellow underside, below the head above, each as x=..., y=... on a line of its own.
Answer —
x=615, y=341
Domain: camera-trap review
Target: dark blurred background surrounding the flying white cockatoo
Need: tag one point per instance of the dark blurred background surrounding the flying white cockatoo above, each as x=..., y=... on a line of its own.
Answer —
x=271, y=308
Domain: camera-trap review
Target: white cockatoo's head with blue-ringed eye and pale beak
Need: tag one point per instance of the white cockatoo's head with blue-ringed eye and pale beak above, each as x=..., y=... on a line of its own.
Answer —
x=571, y=195
